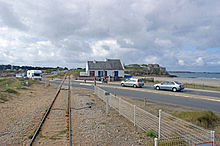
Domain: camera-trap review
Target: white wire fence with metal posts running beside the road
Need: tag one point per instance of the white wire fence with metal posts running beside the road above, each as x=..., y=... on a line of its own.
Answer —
x=165, y=125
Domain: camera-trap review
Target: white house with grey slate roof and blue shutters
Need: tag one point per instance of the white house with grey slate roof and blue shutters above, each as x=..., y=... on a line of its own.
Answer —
x=109, y=67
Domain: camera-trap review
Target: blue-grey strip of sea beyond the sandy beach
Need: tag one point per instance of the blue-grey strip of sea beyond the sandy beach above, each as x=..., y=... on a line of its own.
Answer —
x=198, y=75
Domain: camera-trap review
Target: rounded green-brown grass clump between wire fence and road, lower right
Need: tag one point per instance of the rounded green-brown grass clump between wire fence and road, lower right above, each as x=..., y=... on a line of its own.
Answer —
x=206, y=119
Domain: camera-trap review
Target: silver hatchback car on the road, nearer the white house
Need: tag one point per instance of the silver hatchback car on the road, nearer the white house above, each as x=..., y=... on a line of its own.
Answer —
x=133, y=82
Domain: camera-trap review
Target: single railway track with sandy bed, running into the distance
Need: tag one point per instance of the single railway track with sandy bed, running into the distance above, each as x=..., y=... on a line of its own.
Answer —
x=55, y=126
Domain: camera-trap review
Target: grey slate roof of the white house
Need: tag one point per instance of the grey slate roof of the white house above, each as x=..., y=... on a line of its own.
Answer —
x=109, y=64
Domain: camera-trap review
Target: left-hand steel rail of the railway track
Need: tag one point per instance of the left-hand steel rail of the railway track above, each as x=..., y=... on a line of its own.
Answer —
x=46, y=114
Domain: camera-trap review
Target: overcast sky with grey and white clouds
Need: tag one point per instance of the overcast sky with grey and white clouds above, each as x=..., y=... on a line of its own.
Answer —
x=179, y=35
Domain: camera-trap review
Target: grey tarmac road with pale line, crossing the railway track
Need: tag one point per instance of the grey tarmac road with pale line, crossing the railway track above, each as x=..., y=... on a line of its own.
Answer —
x=201, y=99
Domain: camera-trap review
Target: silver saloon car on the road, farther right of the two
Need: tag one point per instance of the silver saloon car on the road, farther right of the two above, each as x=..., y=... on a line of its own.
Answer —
x=169, y=85
